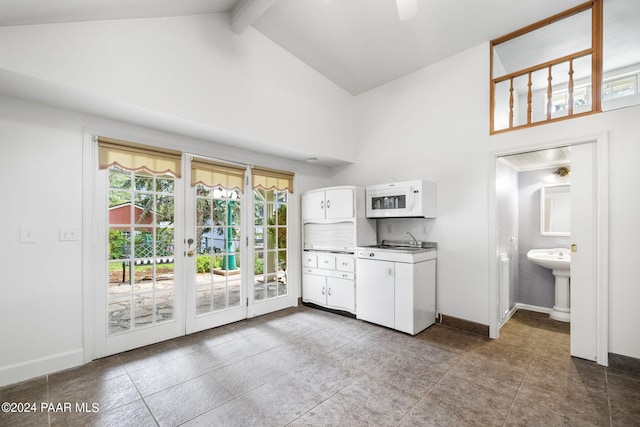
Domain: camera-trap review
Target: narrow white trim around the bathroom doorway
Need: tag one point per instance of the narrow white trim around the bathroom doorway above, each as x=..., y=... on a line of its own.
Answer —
x=602, y=232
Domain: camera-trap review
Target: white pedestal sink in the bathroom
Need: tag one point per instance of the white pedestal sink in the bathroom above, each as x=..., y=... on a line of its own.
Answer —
x=558, y=260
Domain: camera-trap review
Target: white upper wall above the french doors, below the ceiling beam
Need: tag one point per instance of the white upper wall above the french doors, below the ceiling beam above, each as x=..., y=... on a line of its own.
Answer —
x=193, y=68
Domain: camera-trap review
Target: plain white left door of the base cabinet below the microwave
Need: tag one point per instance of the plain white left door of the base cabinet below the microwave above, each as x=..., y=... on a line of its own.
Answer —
x=375, y=291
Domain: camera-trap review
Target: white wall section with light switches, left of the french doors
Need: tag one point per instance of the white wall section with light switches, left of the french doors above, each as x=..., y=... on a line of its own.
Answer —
x=41, y=304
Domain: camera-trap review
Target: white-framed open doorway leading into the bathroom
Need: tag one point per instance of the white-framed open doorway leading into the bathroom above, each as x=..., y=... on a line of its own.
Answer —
x=577, y=223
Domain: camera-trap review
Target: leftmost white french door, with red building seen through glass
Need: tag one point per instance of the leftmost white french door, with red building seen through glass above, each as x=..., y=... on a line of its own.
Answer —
x=140, y=295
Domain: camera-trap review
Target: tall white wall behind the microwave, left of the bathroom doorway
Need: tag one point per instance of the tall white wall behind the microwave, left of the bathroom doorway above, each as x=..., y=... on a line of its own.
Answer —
x=433, y=125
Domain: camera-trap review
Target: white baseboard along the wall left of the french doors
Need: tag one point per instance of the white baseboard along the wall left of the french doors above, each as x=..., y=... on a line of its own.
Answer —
x=23, y=371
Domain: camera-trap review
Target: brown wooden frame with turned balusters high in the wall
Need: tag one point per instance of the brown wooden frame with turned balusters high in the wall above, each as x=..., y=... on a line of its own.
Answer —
x=596, y=68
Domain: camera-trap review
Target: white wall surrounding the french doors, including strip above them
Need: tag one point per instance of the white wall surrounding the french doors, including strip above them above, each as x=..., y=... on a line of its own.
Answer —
x=41, y=169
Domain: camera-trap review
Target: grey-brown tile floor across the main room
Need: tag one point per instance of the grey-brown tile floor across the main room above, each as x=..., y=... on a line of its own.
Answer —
x=306, y=367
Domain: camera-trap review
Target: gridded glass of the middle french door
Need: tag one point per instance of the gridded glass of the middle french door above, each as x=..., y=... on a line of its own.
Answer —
x=218, y=237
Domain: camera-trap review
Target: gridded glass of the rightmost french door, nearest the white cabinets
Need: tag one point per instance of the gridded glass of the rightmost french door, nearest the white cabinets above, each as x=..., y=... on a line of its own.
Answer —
x=270, y=244
